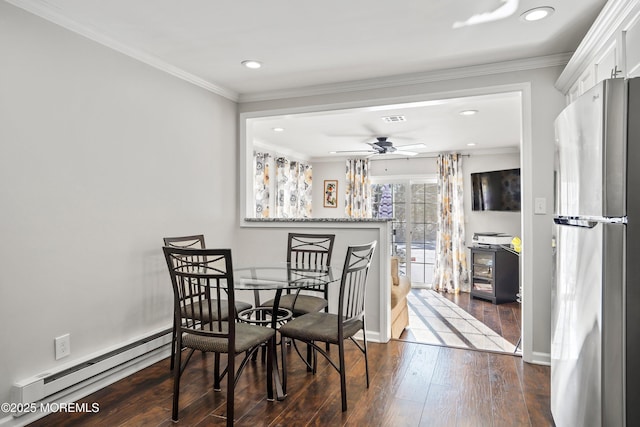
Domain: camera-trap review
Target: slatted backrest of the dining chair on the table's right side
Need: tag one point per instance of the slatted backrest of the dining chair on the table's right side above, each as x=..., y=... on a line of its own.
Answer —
x=351, y=303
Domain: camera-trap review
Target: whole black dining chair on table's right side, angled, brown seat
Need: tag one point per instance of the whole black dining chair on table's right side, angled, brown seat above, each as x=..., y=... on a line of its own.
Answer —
x=332, y=328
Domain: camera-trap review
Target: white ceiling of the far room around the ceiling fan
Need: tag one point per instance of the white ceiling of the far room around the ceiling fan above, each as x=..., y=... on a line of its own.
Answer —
x=437, y=124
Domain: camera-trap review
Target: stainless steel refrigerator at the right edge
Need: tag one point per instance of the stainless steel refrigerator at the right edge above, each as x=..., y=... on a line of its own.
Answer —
x=595, y=336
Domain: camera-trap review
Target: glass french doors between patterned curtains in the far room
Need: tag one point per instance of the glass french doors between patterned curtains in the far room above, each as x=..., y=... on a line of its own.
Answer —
x=412, y=205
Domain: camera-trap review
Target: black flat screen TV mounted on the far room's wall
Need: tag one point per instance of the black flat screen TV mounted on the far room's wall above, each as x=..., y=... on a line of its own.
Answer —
x=496, y=190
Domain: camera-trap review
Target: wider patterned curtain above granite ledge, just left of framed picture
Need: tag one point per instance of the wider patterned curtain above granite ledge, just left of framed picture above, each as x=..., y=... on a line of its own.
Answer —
x=293, y=189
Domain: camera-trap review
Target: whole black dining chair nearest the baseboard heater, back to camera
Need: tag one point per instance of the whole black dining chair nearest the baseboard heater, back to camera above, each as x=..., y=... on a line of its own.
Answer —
x=200, y=278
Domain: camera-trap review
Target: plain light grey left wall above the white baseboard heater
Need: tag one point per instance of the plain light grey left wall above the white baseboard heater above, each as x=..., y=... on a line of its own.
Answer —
x=100, y=157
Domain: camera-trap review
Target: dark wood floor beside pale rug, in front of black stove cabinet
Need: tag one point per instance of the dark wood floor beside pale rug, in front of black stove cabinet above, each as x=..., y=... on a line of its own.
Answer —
x=504, y=319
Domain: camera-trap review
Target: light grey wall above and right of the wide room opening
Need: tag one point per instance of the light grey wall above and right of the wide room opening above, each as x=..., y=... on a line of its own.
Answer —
x=541, y=104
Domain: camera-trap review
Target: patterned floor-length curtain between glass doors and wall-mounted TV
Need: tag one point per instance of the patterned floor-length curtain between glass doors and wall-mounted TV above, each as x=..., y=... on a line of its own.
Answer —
x=450, y=270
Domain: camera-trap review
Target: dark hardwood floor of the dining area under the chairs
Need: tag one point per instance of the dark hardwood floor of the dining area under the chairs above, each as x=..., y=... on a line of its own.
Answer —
x=411, y=385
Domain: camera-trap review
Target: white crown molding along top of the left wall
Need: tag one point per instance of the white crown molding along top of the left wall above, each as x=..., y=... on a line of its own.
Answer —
x=46, y=11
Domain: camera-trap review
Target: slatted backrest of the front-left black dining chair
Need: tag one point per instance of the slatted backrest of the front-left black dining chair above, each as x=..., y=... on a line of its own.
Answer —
x=200, y=278
